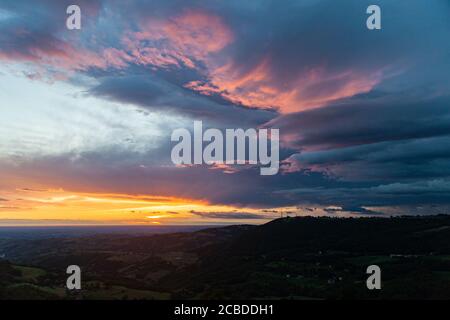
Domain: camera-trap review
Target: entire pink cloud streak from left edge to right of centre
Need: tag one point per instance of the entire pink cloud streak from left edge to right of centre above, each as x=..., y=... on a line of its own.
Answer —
x=197, y=39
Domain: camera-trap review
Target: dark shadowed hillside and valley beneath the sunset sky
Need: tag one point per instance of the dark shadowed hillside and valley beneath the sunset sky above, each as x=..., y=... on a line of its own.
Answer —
x=290, y=258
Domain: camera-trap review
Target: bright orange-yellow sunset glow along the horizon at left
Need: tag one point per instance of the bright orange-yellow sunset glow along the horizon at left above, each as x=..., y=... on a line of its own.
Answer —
x=60, y=207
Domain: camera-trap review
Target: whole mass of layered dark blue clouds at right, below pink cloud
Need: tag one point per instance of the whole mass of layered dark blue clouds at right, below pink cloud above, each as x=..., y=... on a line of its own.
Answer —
x=374, y=137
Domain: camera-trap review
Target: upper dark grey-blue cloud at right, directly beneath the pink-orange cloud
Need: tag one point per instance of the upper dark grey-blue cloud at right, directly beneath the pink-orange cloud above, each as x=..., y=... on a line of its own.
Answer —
x=367, y=119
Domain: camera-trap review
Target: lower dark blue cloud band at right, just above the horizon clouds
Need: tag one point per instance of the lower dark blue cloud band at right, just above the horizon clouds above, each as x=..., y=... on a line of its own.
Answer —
x=390, y=161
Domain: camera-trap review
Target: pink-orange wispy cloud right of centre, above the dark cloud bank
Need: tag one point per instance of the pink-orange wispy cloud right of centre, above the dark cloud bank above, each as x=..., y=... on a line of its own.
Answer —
x=260, y=88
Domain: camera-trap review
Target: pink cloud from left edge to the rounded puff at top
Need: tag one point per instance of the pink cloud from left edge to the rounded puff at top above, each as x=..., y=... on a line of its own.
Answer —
x=185, y=39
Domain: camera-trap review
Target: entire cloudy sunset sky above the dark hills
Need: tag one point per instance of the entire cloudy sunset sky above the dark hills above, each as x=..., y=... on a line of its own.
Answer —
x=86, y=115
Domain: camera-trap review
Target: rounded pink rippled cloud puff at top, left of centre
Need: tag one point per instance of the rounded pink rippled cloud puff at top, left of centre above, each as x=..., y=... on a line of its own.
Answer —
x=184, y=39
